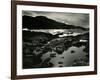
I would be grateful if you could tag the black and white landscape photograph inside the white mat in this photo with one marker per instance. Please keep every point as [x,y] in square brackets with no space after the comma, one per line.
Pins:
[54,39]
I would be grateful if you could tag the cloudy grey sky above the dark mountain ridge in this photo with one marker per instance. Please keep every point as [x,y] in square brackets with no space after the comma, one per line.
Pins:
[77,19]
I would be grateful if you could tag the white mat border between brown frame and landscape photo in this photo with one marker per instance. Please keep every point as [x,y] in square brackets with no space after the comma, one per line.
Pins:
[21,71]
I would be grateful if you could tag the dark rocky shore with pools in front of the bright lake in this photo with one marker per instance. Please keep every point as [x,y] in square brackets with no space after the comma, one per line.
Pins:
[42,50]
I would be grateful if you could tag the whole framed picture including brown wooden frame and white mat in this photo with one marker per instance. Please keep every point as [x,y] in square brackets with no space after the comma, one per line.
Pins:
[53,39]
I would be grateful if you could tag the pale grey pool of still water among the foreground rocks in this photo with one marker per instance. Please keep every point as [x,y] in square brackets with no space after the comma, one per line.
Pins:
[66,58]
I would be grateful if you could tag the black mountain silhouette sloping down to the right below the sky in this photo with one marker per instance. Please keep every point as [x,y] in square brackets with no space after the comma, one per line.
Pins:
[42,22]
